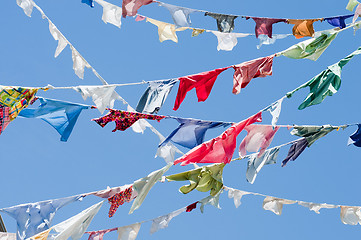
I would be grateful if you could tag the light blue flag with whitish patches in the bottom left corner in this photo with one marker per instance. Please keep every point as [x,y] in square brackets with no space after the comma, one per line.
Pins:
[33,218]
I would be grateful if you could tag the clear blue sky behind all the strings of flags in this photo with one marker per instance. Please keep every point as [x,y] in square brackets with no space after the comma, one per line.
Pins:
[36,166]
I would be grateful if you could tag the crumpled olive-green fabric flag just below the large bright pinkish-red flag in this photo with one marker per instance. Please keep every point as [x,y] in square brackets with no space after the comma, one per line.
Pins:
[203,179]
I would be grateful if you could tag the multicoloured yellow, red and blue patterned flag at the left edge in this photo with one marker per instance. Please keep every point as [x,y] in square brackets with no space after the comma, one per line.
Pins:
[16,98]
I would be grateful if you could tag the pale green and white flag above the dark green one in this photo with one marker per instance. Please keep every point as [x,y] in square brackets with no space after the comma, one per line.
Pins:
[311,48]
